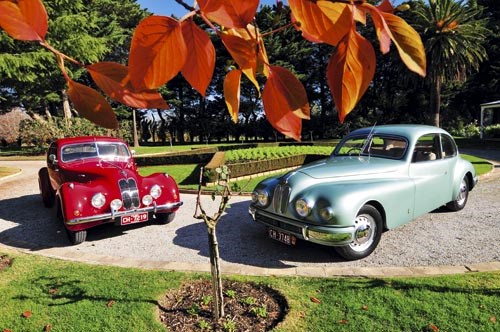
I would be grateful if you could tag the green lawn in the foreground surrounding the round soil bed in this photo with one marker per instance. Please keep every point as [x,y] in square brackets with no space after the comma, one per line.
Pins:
[43,294]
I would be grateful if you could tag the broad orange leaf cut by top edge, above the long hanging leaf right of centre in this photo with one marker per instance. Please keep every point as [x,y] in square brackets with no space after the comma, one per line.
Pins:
[318,26]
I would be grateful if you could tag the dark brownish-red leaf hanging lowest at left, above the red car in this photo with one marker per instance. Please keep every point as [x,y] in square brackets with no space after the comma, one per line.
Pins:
[92,105]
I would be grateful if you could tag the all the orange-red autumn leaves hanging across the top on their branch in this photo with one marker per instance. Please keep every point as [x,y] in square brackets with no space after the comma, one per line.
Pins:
[163,47]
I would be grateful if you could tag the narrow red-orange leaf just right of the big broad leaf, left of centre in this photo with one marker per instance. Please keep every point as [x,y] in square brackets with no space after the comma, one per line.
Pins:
[200,63]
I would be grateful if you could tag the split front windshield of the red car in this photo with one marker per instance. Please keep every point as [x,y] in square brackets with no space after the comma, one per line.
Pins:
[103,150]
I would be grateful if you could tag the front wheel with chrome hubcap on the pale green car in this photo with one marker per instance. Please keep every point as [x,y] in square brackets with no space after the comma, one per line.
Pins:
[368,230]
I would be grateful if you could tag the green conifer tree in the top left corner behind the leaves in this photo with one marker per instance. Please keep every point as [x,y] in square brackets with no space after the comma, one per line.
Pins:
[86,30]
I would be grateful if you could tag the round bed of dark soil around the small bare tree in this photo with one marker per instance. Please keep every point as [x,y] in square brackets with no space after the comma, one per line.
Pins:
[247,307]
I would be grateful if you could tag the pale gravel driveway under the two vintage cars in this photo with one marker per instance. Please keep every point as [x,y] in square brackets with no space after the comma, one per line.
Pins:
[438,238]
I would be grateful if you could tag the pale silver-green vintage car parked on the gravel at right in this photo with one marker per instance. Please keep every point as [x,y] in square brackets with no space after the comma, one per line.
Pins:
[376,179]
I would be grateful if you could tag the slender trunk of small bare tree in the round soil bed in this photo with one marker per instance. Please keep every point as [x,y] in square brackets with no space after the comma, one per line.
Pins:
[216,276]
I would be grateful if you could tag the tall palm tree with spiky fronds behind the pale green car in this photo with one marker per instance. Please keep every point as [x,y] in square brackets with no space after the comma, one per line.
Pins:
[454,35]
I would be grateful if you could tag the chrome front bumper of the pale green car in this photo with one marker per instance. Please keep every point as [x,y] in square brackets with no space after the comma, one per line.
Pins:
[330,236]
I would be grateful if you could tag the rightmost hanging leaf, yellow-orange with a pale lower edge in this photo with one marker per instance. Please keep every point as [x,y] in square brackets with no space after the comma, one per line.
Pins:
[408,42]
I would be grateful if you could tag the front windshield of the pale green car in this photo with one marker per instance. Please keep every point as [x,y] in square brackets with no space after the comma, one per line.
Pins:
[392,147]
